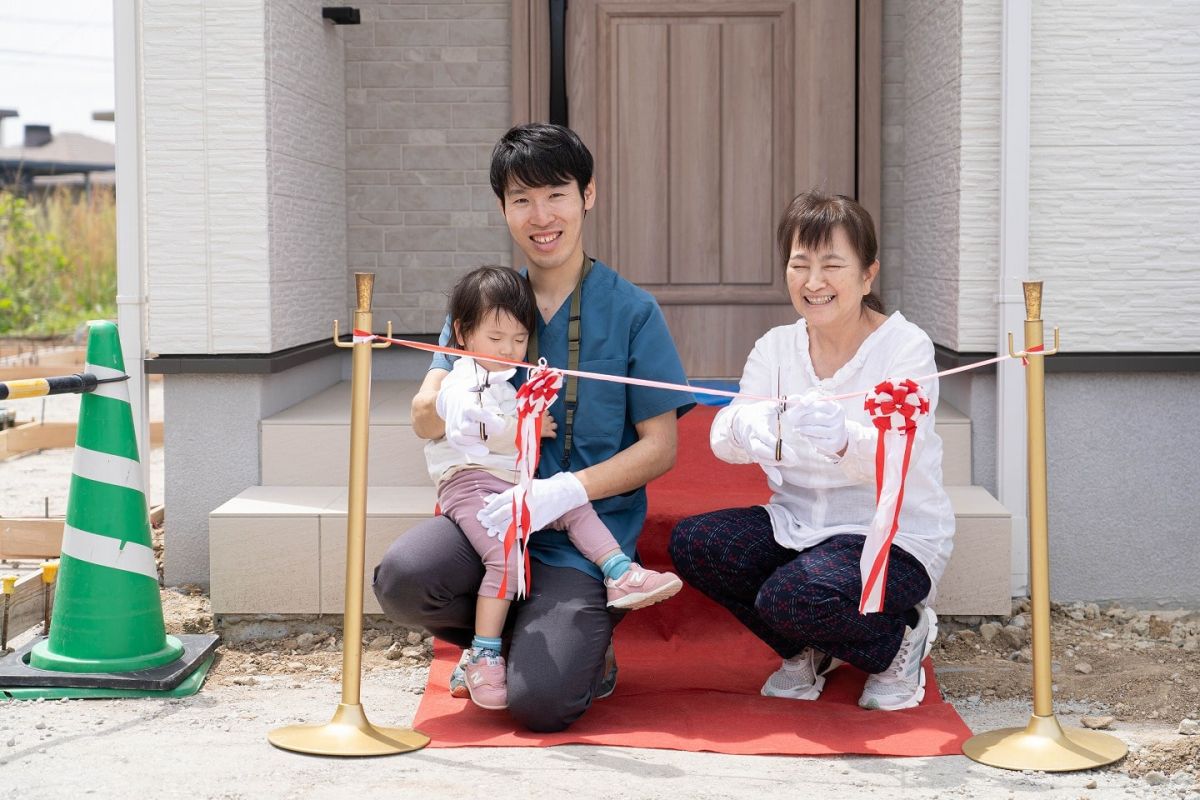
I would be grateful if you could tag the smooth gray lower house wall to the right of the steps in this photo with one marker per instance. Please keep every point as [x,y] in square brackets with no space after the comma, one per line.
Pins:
[1124,524]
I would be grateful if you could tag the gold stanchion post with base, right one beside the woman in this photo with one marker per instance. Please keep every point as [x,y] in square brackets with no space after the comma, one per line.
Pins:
[1043,744]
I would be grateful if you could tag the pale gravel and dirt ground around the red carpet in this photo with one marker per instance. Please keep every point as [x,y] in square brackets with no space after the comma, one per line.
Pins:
[1138,667]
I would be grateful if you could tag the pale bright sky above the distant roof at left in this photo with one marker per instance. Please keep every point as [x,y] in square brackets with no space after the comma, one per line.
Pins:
[57,67]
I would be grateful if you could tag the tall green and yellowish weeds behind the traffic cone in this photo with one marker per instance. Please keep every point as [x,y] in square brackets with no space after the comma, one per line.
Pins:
[58,262]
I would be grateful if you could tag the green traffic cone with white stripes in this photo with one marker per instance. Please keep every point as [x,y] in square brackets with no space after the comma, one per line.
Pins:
[107,615]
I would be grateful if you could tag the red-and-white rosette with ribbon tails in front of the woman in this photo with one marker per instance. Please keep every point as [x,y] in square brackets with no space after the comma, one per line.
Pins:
[896,410]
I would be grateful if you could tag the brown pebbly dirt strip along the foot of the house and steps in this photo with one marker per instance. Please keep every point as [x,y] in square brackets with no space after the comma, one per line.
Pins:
[1115,666]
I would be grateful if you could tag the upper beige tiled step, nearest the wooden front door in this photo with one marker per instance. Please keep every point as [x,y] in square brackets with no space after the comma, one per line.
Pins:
[309,444]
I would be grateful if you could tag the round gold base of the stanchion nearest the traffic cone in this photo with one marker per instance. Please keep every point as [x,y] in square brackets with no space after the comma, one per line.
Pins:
[350,733]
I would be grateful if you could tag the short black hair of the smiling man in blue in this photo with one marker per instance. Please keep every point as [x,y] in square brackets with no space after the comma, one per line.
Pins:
[541,154]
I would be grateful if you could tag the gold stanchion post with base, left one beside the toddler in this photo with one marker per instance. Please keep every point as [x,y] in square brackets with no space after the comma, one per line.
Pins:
[350,733]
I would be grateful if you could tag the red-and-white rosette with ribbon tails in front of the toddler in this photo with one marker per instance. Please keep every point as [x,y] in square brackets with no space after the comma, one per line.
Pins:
[533,399]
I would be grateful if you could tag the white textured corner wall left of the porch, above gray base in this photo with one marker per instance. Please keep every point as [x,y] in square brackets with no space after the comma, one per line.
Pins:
[244,196]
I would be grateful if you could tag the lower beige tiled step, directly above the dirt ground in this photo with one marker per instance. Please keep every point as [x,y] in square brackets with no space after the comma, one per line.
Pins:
[281,550]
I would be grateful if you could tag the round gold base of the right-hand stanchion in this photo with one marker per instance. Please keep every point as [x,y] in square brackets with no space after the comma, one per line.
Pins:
[1046,747]
